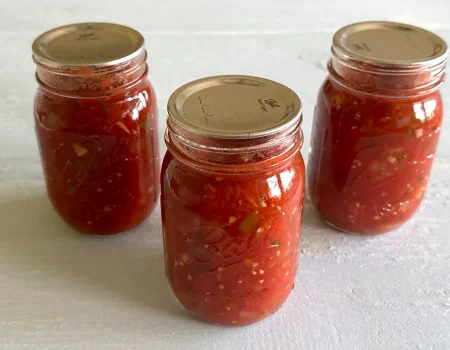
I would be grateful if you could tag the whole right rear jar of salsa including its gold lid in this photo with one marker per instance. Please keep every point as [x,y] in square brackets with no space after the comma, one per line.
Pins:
[376,126]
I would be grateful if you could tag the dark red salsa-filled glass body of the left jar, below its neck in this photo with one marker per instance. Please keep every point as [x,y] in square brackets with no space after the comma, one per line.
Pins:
[100,155]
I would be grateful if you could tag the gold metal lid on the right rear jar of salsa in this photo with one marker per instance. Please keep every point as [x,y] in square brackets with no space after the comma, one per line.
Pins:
[389,44]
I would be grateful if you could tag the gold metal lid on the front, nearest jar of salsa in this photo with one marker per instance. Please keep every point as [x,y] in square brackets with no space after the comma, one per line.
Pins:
[234,107]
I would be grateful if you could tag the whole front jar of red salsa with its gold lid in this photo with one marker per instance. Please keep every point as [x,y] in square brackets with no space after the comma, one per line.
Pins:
[232,197]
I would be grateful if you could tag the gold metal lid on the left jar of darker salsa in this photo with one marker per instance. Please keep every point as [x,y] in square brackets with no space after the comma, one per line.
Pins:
[87,45]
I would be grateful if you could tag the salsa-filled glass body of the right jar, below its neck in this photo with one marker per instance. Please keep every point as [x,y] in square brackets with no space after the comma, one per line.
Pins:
[371,154]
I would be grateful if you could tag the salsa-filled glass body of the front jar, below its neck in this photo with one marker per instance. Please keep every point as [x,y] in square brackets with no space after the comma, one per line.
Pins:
[231,239]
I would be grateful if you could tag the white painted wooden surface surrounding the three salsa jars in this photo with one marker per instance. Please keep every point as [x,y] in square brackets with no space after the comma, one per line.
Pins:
[62,290]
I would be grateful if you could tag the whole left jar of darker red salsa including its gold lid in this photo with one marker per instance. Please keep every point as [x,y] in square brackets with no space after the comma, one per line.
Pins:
[95,117]
